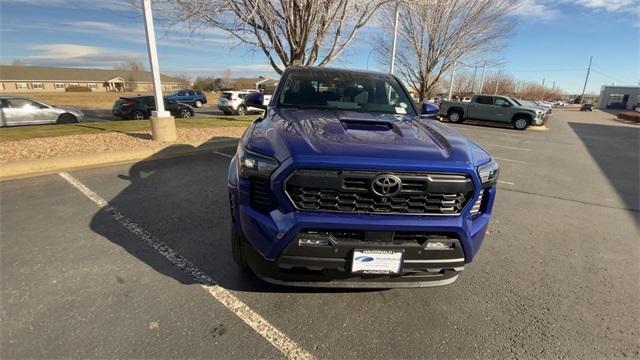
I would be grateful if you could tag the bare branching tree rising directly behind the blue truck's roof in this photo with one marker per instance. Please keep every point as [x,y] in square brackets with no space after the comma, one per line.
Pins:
[300,32]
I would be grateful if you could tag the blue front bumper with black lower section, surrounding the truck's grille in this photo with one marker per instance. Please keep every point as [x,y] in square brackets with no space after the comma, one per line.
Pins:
[274,255]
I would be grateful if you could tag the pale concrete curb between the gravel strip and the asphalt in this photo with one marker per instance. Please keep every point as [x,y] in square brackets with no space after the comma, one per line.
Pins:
[29,168]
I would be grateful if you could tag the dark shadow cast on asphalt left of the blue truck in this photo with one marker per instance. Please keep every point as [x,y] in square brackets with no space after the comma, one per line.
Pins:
[183,202]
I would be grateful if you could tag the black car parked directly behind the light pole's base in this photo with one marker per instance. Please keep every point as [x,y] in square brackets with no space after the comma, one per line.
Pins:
[140,107]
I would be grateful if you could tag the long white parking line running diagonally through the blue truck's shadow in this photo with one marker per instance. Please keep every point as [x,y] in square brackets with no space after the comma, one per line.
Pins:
[260,325]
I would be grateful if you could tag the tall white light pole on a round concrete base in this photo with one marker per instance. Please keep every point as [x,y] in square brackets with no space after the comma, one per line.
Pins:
[163,125]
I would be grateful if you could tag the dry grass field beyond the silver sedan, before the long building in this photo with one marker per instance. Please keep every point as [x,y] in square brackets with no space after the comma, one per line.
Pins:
[88,100]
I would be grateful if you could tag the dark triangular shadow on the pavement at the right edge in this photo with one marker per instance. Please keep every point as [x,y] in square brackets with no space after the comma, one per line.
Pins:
[615,149]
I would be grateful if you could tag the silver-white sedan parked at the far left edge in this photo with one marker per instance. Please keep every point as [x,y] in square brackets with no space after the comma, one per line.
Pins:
[15,110]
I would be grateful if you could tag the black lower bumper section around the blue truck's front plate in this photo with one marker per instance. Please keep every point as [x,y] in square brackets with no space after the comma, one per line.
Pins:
[329,265]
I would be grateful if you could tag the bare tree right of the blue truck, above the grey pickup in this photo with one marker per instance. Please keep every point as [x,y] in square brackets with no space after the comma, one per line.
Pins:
[432,34]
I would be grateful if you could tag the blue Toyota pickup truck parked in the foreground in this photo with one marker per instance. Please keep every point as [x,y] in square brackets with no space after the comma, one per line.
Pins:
[342,182]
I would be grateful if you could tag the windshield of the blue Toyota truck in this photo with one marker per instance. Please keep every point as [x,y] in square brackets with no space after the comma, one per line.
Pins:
[339,90]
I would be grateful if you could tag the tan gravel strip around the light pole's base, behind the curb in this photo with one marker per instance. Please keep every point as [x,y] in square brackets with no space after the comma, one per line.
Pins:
[69,145]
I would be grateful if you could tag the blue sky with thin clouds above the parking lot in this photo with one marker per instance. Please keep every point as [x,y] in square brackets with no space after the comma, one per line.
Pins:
[553,41]
